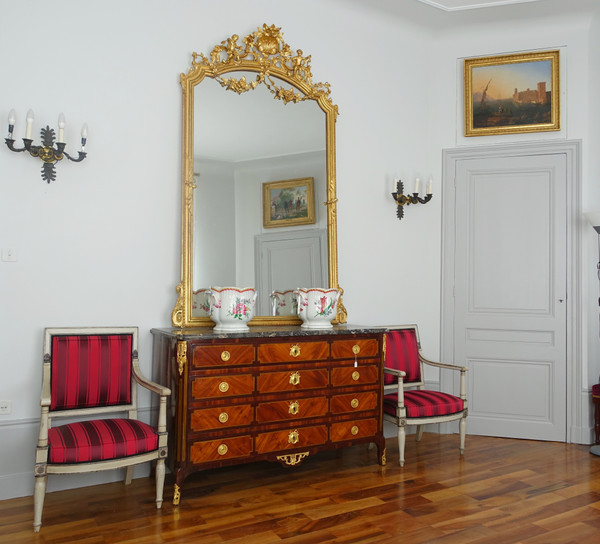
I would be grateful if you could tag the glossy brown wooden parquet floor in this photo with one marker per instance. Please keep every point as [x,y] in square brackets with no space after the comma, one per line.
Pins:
[501,491]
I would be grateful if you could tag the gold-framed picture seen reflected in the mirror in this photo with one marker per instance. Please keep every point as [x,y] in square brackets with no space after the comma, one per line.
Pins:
[288,202]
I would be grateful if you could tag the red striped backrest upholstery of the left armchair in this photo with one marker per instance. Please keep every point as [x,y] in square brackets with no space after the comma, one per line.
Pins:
[90,370]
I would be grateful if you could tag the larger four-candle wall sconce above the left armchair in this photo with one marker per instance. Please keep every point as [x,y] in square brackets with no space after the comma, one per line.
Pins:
[49,154]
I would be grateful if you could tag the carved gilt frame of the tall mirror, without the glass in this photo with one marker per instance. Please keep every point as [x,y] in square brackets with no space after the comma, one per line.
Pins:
[287,76]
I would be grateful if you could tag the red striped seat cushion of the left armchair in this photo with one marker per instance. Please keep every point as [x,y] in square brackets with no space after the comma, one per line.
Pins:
[100,439]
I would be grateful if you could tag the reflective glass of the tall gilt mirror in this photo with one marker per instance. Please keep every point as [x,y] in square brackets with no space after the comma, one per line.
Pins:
[240,143]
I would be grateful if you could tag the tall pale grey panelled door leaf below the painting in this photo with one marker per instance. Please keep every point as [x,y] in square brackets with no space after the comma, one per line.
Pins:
[510,293]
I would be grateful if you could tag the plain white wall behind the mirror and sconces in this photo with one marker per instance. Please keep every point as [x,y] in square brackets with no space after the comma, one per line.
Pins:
[100,245]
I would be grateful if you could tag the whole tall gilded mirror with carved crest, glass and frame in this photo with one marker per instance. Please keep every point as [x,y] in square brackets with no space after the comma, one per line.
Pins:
[254,120]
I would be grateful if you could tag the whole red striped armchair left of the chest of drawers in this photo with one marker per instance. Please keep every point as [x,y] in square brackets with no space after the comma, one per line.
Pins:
[89,373]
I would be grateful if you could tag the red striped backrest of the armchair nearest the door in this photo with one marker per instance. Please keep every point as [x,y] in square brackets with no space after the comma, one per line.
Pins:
[402,353]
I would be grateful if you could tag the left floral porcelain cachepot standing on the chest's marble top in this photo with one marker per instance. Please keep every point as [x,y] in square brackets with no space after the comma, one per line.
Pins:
[231,308]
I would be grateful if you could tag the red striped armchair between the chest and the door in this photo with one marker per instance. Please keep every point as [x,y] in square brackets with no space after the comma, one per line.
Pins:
[406,401]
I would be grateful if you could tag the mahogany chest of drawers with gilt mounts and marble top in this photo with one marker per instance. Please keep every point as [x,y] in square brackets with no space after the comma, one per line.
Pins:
[277,394]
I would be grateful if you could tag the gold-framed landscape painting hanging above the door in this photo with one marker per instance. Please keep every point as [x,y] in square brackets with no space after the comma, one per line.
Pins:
[510,94]
